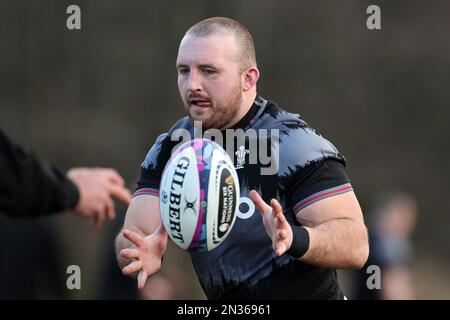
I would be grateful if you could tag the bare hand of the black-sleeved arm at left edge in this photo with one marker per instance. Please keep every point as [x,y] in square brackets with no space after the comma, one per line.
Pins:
[97,188]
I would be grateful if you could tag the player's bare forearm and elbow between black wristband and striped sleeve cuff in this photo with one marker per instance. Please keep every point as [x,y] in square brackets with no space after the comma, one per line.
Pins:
[338,236]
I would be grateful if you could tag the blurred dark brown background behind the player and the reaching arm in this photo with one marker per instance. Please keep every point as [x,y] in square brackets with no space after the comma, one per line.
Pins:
[99,96]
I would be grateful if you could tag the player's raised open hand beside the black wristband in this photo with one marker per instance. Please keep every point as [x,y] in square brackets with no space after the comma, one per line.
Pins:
[277,227]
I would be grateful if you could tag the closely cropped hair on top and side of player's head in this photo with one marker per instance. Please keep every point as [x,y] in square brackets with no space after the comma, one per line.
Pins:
[243,37]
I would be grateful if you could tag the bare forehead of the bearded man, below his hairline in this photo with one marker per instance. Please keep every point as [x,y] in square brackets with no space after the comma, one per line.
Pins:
[214,46]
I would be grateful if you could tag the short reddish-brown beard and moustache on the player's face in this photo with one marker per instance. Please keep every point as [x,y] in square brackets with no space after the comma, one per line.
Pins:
[217,115]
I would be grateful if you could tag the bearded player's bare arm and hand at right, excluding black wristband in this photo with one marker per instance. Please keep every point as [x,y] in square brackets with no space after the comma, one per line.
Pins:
[338,237]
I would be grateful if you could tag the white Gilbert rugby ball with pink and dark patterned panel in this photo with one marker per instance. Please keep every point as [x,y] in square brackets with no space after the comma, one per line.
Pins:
[199,195]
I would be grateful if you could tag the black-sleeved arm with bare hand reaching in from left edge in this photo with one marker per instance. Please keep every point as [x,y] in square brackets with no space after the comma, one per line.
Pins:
[30,187]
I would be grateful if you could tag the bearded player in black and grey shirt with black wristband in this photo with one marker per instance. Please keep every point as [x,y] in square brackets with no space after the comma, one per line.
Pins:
[309,220]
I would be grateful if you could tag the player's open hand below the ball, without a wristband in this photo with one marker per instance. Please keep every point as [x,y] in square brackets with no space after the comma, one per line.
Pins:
[147,255]
